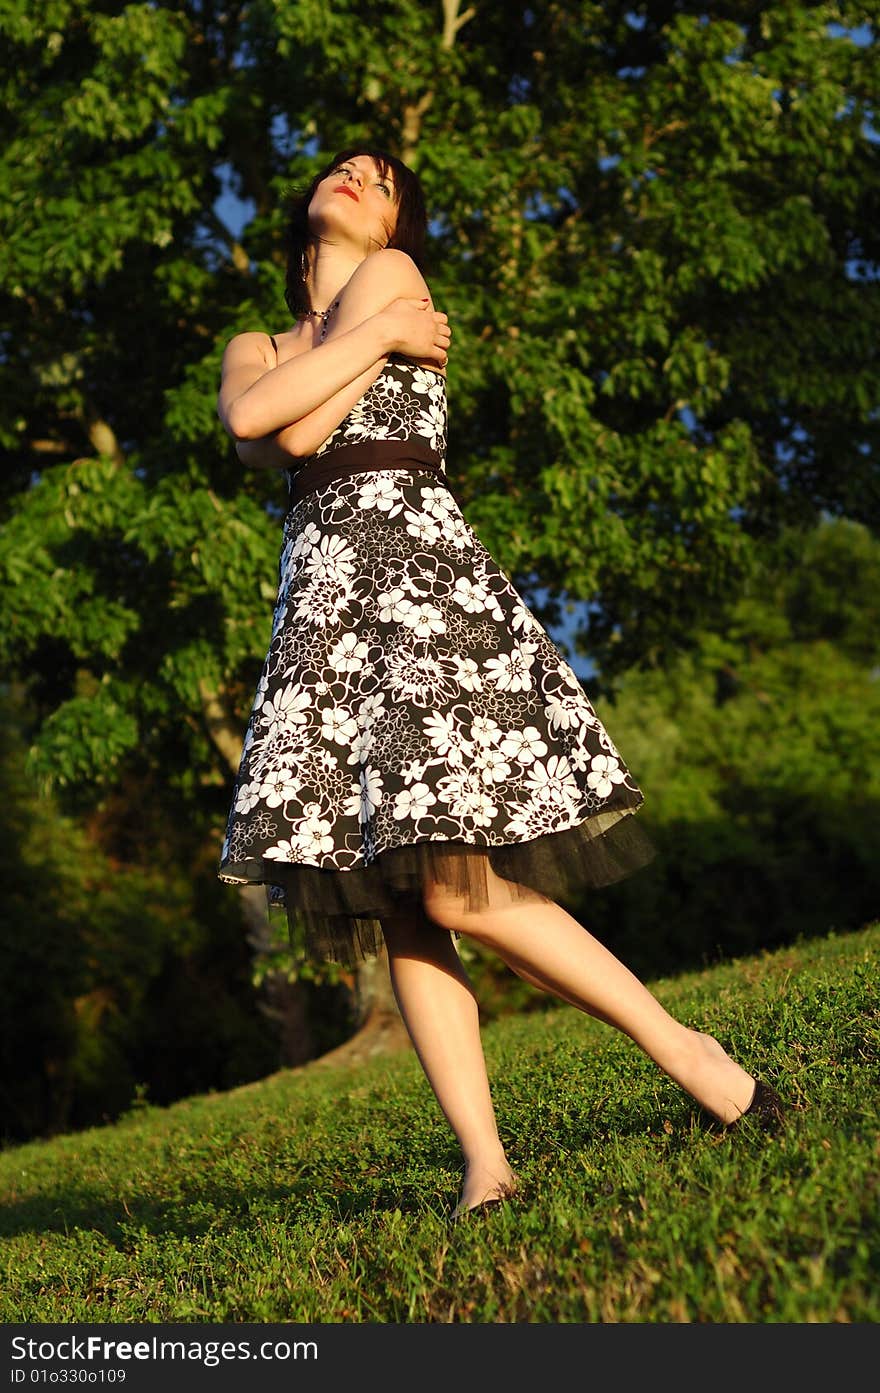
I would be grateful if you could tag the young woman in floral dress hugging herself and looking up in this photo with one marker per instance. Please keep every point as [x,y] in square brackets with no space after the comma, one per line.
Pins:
[420,763]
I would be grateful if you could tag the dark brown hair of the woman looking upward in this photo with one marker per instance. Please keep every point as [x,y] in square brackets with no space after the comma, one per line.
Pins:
[409,236]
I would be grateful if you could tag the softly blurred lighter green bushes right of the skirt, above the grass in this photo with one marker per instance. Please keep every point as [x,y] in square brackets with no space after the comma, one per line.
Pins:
[760,758]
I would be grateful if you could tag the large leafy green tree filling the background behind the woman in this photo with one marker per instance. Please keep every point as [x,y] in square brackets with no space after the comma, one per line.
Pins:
[655,233]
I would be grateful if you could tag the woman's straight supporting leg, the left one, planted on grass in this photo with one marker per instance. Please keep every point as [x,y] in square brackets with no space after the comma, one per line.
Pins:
[441,1013]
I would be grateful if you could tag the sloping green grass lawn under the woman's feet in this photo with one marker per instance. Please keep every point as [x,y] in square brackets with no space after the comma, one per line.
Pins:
[324,1196]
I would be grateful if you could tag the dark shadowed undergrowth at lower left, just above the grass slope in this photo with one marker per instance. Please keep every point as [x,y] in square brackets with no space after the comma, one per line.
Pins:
[118,972]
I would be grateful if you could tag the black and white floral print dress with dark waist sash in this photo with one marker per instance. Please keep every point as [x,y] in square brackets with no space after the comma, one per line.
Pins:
[413,718]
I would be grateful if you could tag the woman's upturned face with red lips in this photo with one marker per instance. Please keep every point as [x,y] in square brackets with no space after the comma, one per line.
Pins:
[356,204]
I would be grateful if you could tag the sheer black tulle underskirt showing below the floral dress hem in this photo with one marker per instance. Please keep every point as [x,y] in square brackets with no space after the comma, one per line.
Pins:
[340,912]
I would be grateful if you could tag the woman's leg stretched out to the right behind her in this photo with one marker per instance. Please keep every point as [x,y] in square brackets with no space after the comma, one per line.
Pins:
[542,942]
